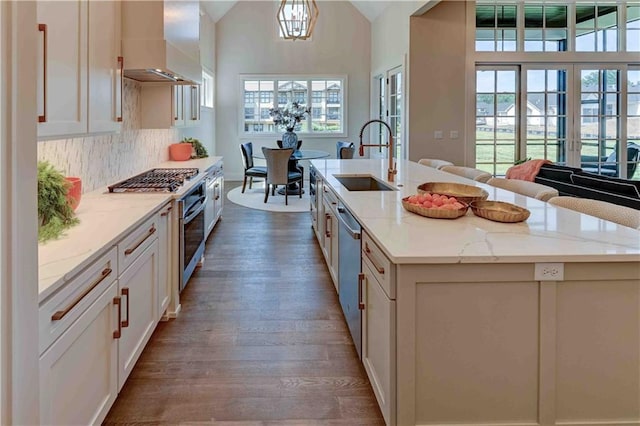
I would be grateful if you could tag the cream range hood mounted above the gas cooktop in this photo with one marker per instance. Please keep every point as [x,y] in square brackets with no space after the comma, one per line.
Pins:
[160,41]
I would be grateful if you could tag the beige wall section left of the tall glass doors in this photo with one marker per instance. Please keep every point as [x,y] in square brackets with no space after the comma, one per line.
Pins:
[437,80]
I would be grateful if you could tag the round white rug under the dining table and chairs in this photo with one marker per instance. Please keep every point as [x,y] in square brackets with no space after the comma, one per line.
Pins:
[254,199]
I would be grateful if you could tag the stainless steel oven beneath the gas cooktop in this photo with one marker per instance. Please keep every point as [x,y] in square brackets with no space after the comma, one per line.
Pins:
[192,230]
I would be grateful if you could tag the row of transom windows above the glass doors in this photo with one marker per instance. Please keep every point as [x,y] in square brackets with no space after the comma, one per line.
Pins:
[542,26]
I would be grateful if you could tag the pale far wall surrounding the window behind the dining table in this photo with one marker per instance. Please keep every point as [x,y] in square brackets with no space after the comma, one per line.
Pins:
[247,43]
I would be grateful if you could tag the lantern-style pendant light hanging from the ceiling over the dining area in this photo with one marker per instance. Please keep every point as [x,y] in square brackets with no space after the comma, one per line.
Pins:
[297,18]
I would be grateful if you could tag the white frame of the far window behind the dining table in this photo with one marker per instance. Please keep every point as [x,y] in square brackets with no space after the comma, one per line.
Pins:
[276,79]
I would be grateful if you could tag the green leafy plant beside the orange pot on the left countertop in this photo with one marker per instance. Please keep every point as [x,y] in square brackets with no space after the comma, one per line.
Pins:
[54,212]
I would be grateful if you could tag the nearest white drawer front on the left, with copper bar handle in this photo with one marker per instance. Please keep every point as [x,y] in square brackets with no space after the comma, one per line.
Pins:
[63,308]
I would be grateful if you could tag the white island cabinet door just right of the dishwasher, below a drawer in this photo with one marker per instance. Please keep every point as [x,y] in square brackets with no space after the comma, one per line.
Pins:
[378,339]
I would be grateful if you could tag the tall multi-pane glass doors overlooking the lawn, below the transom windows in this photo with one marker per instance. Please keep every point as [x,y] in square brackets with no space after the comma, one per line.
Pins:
[580,115]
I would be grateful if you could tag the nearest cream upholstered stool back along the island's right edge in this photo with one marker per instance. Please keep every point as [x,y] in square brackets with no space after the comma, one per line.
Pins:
[622,215]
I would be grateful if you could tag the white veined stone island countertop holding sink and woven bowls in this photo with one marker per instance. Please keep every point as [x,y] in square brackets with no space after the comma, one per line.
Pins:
[550,234]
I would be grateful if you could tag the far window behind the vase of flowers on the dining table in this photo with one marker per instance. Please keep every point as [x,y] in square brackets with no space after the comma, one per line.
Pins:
[325,96]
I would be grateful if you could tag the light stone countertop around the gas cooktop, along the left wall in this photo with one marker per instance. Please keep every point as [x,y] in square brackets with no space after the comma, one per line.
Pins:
[105,218]
